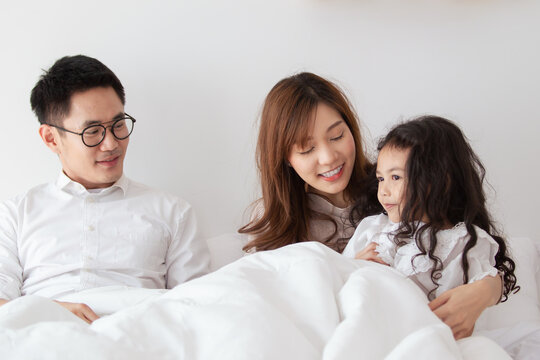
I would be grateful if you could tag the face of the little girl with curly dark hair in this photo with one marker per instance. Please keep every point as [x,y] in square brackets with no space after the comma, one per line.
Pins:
[391,167]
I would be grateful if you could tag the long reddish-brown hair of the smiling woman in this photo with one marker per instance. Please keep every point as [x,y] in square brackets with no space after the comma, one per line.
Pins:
[286,119]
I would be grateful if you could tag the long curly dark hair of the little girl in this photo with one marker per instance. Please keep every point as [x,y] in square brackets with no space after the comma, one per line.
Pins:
[444,184]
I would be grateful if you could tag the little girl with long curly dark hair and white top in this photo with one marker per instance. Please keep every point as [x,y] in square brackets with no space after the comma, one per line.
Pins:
[435,228]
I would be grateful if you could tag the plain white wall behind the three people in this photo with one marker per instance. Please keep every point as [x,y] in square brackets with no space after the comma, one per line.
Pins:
[196,74]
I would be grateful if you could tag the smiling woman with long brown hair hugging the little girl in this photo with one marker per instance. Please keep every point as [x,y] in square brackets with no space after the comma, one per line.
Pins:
[317,184]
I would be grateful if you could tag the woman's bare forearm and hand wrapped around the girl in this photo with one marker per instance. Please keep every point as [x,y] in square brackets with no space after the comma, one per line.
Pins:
[460,307]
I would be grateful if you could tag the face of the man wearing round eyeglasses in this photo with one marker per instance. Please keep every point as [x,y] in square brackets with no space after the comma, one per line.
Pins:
[99,166]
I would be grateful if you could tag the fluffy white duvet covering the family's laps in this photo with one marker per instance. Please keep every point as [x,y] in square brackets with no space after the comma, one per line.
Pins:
[303,301]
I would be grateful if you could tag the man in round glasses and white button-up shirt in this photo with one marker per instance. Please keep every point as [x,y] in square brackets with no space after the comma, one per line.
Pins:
[93,226]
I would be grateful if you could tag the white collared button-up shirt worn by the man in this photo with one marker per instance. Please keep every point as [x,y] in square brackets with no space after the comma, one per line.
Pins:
[60,238]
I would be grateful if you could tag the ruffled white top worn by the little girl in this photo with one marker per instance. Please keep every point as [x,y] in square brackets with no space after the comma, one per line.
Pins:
[450,245]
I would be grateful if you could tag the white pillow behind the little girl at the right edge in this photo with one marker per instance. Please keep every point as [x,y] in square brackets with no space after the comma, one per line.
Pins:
[523,306]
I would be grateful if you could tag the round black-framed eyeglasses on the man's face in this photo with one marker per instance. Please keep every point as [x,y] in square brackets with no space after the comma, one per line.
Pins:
[94,134]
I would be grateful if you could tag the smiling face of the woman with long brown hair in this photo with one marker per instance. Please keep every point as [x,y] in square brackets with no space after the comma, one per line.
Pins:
[326,162]
